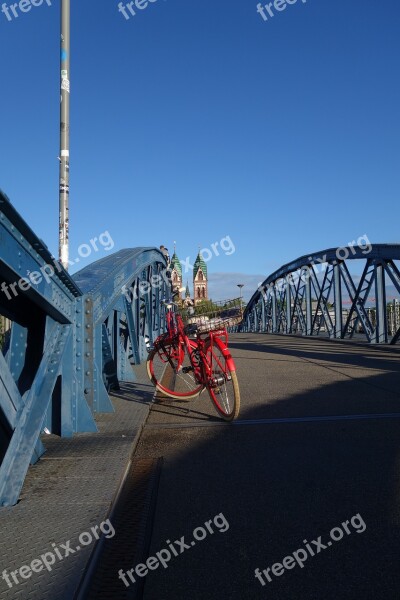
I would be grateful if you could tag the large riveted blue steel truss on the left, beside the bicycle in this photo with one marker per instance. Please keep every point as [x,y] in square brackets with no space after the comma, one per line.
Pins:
[72,340]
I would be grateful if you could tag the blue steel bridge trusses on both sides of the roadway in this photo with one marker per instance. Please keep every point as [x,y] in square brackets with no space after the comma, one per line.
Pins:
[76,338]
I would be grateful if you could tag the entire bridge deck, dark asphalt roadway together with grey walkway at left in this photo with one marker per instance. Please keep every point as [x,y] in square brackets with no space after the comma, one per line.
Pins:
[284,473]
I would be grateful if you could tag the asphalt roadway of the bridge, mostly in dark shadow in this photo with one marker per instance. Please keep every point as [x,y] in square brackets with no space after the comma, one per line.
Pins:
[279,483]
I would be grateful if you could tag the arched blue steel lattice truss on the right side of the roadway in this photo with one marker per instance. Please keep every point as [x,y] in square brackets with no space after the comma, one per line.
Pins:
[307,296]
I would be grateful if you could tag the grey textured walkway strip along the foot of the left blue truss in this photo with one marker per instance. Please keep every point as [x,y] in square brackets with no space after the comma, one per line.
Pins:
[69,491]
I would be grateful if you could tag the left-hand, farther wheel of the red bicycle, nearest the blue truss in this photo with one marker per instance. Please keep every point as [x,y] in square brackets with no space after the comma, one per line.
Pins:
[170,369]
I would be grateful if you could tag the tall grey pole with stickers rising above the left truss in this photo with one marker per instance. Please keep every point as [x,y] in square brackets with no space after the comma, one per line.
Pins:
[63,248]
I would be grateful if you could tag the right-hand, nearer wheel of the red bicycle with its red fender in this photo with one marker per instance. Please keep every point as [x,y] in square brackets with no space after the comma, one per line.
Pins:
[223,386]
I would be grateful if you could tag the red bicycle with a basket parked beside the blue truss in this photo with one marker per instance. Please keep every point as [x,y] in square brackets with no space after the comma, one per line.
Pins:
[188,359]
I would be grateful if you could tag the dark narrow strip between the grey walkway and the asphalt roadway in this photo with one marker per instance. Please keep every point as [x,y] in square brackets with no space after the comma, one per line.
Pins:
[132,519]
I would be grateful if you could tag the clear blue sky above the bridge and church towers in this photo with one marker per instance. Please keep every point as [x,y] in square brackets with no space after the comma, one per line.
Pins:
[192,121]
